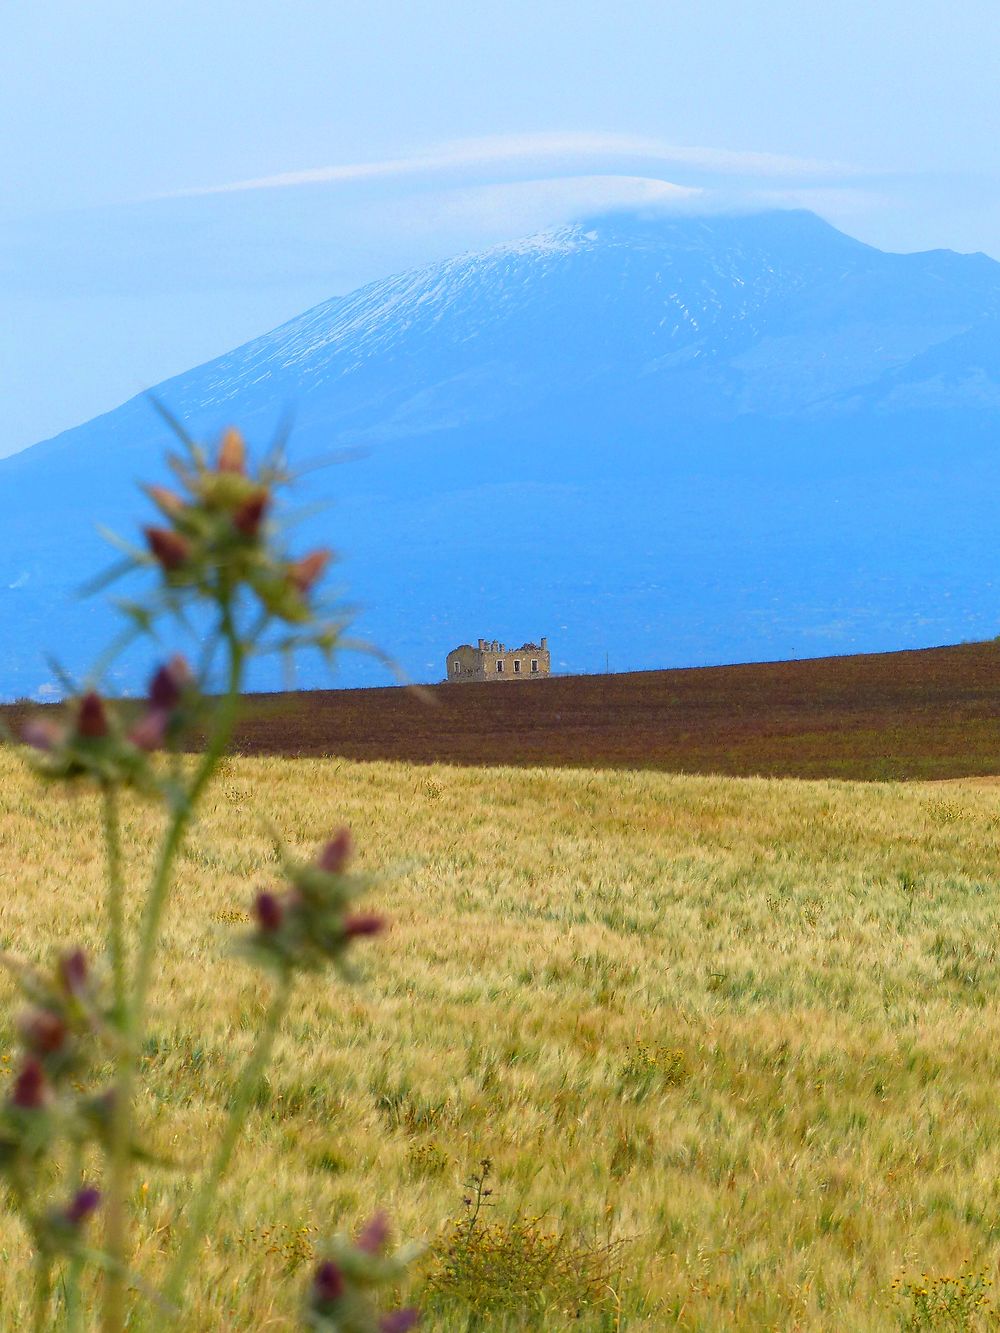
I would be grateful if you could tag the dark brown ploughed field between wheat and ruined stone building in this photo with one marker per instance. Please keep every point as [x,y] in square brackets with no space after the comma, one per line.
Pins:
[933,714]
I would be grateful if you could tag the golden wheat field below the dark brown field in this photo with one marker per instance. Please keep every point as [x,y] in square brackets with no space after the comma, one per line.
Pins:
[730,1046]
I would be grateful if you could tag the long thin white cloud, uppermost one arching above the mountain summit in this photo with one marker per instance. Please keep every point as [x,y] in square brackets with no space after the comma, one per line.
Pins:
[562,149]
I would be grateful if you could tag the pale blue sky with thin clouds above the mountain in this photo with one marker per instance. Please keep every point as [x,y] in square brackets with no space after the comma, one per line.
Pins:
[177,178]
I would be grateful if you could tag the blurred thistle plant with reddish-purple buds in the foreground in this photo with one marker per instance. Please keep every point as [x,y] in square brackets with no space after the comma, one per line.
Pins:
[70,1139]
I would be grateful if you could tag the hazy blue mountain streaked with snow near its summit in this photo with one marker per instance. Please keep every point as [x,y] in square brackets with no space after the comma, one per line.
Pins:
[658,441]
